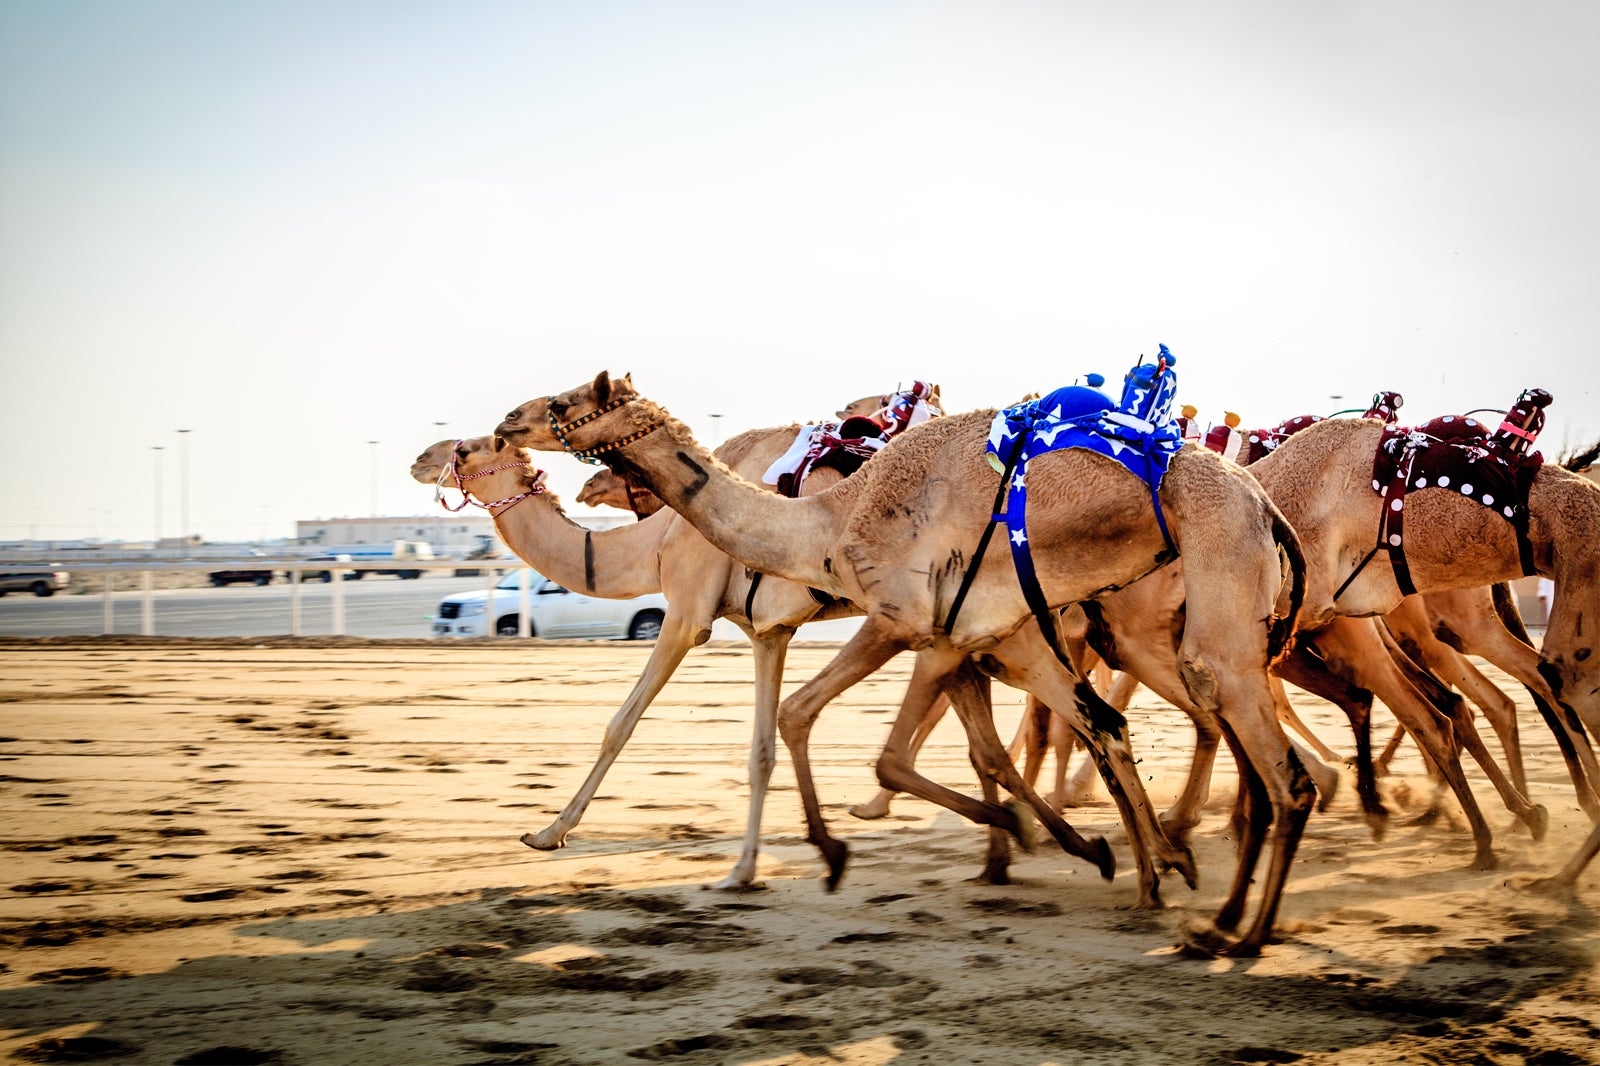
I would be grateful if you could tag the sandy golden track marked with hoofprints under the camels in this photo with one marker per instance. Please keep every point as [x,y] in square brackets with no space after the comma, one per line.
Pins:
[308,852]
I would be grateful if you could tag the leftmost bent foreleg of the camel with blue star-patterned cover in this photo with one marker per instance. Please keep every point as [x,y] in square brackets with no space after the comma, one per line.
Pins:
[862,655]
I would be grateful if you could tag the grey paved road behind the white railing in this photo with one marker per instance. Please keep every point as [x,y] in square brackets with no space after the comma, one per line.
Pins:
[374,607]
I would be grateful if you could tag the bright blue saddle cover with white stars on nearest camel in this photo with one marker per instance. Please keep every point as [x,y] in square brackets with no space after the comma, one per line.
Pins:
[1078,417]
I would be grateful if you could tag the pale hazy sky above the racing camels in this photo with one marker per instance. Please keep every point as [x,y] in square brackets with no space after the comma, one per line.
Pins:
[297,228]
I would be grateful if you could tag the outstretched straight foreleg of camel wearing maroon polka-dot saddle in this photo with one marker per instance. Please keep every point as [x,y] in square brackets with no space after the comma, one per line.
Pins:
[1358,646]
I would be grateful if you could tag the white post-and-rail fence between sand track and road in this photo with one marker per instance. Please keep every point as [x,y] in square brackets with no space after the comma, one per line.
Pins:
[150,569]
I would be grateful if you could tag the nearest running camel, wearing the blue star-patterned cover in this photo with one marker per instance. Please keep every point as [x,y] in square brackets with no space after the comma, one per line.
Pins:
[898,540]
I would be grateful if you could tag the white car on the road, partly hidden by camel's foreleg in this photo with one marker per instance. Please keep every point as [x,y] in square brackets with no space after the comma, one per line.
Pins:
[553,612]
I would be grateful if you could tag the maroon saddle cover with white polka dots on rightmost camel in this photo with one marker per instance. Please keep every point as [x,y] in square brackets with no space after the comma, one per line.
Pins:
[1463,455]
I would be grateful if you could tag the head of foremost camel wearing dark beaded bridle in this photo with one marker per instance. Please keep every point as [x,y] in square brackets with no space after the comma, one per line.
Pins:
[585,422]
